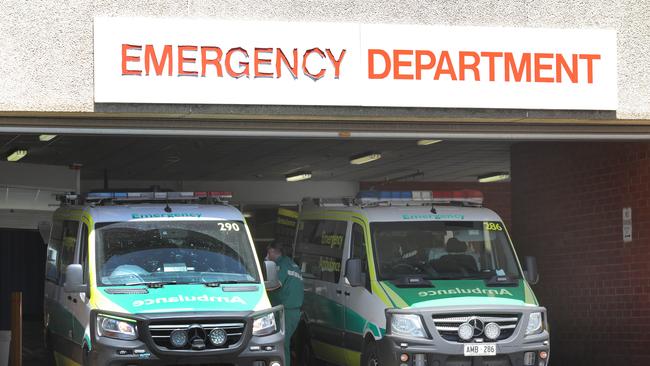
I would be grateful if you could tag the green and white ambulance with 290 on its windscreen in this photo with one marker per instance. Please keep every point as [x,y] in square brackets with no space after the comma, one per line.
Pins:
[163,278]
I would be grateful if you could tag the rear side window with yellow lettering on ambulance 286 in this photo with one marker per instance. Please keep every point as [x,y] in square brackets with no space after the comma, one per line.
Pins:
[319,249]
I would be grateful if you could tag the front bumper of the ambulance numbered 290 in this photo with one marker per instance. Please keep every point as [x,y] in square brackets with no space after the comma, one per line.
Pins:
[250,351]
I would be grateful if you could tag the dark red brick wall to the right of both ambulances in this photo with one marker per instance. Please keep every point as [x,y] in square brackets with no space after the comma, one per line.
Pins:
[567,210]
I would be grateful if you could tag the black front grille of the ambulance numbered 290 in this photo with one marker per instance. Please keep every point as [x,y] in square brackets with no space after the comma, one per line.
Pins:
[161,331]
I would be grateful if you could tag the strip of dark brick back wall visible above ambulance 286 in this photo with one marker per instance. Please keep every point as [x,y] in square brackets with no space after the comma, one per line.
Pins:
[496,195]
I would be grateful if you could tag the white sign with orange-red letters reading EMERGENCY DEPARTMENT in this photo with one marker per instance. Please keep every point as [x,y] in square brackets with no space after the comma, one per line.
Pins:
[199,61]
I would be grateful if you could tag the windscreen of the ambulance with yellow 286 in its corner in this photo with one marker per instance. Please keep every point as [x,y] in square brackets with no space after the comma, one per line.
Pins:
[440,250]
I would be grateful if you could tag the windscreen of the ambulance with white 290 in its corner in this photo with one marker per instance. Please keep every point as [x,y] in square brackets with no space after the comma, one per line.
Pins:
[174,252]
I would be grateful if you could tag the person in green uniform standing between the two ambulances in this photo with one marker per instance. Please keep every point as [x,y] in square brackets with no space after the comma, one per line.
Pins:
[290,293]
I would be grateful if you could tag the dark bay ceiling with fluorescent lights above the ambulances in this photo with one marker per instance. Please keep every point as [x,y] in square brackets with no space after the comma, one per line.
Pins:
[185,158]
